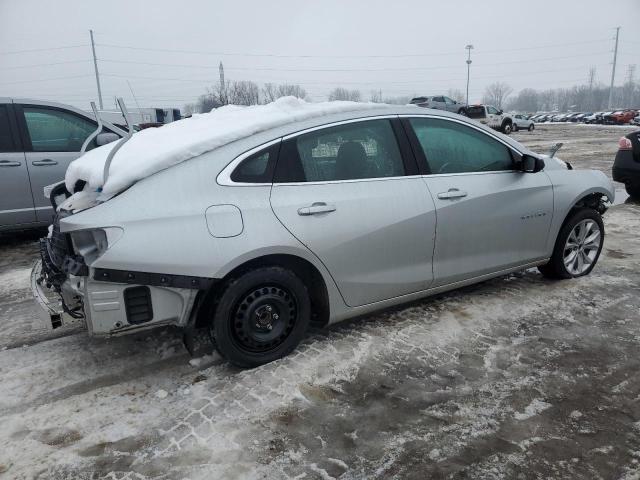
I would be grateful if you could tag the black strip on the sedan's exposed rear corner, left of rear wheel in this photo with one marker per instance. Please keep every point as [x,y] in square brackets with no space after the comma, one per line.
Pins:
[152,279]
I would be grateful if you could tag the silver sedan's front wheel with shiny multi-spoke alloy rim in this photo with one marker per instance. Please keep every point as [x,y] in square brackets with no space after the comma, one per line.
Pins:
[561,265]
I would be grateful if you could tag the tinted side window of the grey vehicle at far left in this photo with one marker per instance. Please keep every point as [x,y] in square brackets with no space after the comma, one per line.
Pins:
[53,130]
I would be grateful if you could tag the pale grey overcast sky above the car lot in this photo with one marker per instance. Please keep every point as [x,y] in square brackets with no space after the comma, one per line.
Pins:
[169,51]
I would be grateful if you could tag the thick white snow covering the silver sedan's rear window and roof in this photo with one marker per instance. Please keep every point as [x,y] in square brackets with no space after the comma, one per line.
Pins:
[155,149]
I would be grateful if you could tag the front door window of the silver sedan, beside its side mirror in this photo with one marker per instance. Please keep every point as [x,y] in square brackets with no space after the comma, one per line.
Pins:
[451,147]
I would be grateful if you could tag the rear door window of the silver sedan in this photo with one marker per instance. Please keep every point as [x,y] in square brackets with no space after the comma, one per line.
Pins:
[352,151]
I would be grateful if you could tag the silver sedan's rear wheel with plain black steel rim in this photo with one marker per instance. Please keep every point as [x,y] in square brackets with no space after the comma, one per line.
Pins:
[260,316]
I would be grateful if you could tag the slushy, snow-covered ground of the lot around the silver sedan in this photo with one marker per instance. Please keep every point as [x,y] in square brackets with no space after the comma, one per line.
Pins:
[517,377]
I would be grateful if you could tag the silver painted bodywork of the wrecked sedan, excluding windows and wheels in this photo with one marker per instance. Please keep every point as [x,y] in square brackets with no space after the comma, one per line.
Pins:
[388,241]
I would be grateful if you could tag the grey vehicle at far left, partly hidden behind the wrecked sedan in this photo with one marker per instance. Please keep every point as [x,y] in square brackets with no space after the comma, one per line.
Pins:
[38,140]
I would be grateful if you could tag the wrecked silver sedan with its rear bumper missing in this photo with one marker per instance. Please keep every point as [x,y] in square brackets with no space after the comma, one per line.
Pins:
[316,220]
